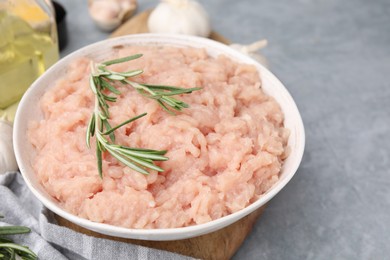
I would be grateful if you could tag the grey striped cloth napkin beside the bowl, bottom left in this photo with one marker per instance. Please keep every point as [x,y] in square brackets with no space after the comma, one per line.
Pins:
[50,241]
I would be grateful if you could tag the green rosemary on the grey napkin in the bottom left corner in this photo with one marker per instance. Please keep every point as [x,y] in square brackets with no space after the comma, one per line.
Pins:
[11,250]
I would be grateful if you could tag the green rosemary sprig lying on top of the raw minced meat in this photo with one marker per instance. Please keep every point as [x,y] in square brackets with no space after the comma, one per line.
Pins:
[102,82]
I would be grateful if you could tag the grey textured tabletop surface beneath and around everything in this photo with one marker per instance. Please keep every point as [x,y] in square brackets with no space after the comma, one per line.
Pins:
[334,57]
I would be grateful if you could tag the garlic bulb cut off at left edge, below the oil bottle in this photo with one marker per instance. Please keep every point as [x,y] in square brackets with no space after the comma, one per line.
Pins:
[7,155]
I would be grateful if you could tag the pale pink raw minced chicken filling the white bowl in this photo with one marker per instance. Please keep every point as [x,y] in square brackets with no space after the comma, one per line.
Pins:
[225,150]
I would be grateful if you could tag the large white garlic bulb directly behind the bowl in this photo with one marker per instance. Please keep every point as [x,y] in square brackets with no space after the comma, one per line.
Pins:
[179,17]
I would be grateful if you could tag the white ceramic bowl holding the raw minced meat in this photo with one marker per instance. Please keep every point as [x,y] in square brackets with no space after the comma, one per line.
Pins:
[29,110]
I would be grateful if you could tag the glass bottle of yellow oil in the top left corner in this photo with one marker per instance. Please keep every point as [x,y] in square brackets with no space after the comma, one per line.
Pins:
[28,46]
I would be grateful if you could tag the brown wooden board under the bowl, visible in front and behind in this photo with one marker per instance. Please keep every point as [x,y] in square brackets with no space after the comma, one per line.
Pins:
[219,245]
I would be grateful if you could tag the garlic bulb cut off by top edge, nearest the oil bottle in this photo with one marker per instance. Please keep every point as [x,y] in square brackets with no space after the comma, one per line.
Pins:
[109,14]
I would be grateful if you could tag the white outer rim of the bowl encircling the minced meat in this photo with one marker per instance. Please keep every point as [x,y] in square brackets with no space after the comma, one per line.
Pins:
[163,233]
